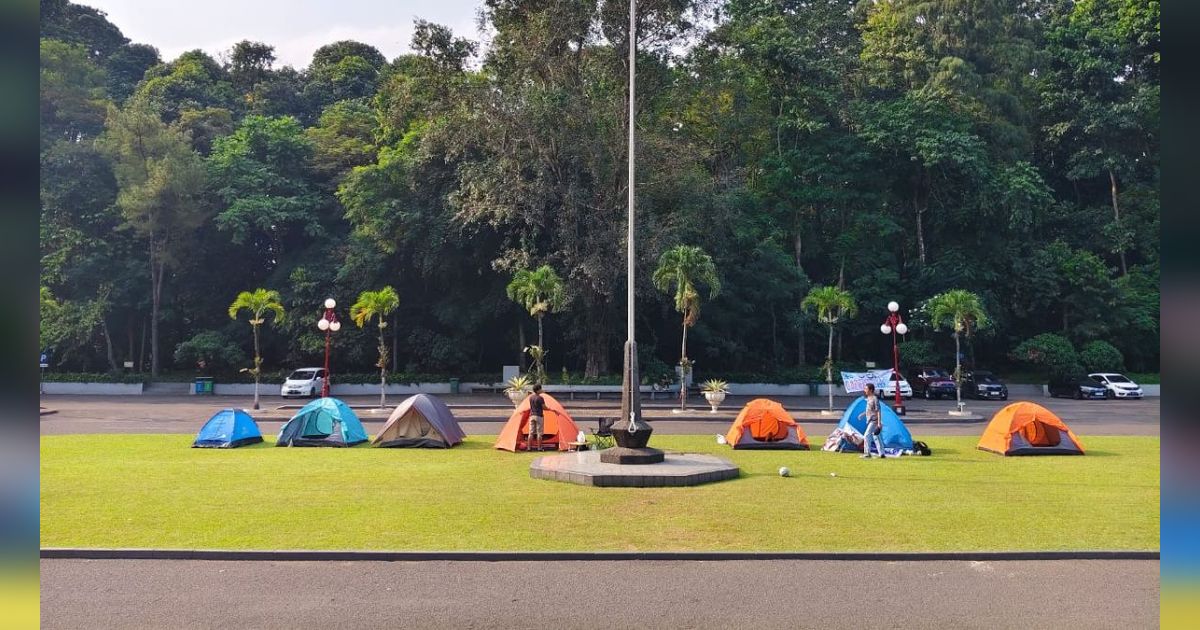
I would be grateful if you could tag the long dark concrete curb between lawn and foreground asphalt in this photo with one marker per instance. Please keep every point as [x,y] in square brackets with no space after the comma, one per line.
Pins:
[100,554]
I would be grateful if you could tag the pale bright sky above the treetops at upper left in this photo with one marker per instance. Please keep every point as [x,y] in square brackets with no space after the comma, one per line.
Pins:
[295,28]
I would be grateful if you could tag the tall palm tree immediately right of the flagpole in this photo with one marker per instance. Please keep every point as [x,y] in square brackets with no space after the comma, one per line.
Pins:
[681,269]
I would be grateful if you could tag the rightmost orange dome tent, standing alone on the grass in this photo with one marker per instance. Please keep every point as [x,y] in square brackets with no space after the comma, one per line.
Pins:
[1029,429]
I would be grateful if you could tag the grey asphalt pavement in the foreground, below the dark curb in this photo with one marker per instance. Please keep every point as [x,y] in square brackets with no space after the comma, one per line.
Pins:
[129,595]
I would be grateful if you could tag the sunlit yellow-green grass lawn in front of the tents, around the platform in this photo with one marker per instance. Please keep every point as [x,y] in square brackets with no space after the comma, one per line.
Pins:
[154,491]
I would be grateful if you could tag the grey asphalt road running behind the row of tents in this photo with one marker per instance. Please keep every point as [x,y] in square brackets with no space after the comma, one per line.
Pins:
[483,415]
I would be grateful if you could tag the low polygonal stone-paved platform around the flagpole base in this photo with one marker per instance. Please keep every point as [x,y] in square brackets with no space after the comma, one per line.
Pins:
[677,470]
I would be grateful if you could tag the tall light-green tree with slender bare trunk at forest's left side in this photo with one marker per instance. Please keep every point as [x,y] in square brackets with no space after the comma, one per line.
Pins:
[160,182]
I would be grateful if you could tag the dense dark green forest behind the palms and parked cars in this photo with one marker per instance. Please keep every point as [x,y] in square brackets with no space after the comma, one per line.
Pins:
[891,151]
